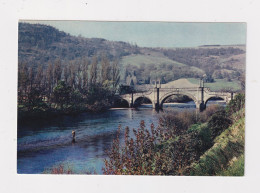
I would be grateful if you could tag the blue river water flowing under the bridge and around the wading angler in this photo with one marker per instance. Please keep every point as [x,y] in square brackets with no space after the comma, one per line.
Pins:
[44,144]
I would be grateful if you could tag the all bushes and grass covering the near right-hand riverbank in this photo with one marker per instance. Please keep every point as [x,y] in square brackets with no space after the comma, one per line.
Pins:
[184,143]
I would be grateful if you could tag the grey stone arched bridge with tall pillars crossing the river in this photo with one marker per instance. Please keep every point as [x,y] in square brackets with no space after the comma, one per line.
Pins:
[200,95]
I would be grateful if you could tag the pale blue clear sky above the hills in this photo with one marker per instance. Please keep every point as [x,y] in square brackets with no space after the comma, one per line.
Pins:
[156,34]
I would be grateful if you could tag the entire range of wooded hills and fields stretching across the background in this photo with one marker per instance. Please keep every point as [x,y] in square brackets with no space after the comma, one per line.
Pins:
[42,44]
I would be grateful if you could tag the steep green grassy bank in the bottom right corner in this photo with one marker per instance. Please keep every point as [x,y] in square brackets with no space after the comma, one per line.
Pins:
[226,155]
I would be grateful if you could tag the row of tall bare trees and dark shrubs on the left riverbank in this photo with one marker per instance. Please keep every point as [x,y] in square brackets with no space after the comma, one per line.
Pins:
[90,85]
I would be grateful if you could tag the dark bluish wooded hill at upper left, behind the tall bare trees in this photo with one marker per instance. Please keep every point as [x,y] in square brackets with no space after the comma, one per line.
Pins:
[40,44]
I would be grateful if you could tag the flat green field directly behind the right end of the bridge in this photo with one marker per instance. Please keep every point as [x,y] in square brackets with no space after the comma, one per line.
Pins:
[219,84]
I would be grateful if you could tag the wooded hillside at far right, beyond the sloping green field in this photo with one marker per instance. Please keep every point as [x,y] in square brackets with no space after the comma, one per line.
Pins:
[210,60]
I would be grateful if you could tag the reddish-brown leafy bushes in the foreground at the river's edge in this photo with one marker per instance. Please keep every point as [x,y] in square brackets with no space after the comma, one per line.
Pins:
[165,150]
